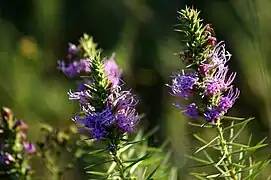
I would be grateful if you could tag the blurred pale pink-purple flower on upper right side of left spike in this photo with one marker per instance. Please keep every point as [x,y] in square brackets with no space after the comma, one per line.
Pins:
[112,70]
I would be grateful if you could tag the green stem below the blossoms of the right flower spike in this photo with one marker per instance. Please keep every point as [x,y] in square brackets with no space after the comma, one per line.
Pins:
[225,151]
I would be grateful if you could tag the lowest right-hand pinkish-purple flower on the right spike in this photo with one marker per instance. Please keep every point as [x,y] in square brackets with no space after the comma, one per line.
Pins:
[226,102]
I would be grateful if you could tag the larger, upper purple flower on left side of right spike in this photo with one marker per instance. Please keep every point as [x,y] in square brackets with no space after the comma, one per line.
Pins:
[182,85]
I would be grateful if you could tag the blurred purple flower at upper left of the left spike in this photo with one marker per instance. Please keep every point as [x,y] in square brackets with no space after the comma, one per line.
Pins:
[74,68]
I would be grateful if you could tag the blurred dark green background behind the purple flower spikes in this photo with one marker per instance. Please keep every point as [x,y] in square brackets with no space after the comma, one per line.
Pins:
[34,34]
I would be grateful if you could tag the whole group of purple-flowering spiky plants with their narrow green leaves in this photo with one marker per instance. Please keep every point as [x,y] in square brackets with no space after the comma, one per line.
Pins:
[105,133]
